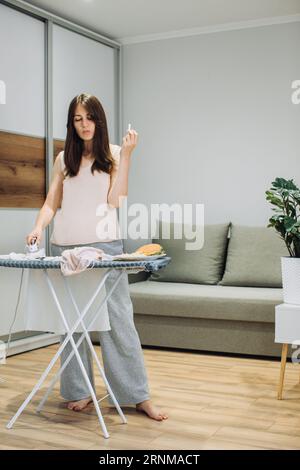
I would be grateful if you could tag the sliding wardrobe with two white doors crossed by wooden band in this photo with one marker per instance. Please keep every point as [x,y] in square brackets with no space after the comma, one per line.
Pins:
[77,64]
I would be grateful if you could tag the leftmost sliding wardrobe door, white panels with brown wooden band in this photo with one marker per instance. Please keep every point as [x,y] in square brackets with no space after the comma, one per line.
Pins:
[22,146]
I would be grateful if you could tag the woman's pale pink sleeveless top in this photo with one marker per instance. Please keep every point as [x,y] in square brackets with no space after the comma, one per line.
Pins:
[85,216]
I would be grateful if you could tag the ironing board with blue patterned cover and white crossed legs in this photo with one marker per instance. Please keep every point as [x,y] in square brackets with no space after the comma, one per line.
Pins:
[45,265]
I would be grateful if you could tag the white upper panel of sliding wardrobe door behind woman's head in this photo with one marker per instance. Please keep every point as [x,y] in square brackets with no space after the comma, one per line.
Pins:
[82,65]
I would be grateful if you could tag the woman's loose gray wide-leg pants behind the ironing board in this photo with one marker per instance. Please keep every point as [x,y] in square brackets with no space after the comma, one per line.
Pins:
[120,347]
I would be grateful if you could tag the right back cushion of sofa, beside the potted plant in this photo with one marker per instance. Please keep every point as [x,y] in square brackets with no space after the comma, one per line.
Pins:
[253,257]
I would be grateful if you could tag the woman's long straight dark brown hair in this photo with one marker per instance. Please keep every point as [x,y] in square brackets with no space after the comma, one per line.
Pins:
[74,144]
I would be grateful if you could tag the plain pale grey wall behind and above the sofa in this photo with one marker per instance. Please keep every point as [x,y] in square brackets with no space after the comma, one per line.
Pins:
[215,119]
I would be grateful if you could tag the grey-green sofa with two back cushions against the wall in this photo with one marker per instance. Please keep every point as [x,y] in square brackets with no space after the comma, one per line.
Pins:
[221,298]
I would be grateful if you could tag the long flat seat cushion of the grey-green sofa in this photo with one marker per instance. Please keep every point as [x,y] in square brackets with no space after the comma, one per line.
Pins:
[251,304]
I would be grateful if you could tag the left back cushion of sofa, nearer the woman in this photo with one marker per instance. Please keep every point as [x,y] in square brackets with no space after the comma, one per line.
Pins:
[204,266]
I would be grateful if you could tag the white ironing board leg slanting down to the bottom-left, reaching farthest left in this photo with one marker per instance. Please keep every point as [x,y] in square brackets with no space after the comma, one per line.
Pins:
[56,356]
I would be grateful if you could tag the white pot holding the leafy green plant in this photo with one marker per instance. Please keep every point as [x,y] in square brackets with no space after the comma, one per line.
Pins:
[290,269]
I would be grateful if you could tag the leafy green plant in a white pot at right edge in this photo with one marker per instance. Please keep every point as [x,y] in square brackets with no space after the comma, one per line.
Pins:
[285,196]
